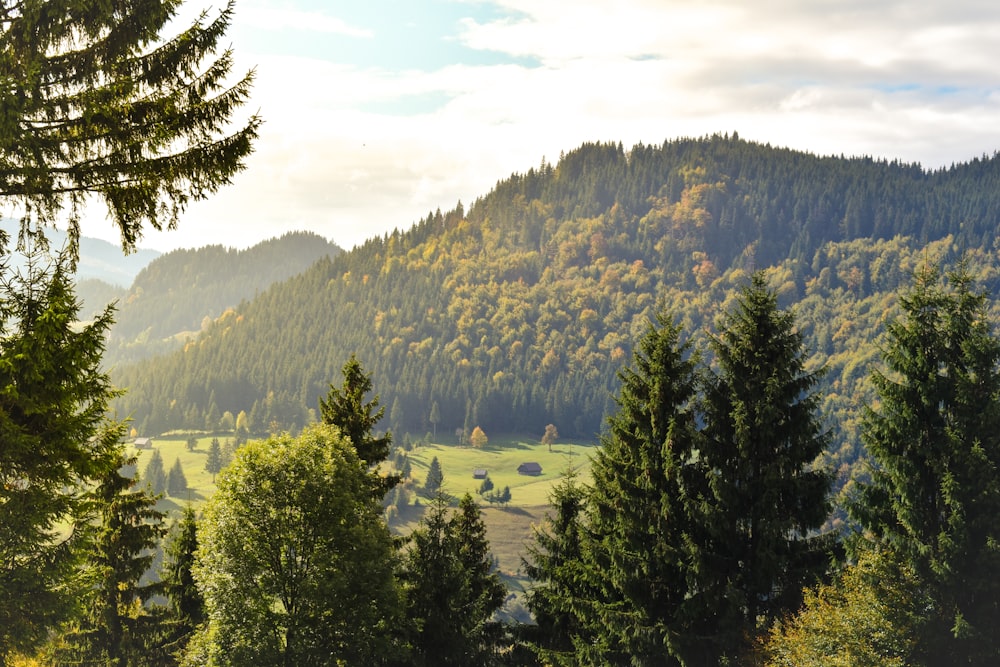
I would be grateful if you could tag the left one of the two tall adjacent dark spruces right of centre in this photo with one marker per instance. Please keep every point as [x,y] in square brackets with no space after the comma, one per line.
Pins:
[637,565]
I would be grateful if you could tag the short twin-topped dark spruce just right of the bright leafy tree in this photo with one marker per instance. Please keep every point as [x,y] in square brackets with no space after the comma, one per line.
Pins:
[450,591]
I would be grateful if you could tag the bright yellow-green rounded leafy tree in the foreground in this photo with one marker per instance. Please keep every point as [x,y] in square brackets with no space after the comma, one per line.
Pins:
[294,562]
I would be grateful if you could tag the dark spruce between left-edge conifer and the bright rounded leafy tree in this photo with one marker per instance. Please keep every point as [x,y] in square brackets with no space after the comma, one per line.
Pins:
[117,629]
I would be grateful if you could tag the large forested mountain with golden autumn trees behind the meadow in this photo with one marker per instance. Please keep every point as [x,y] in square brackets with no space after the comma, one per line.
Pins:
[519,311]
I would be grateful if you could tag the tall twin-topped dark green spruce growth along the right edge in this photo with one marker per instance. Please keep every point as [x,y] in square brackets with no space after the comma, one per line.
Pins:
[934,437]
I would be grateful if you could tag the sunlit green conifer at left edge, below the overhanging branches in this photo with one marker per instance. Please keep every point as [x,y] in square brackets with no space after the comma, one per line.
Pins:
[53,401]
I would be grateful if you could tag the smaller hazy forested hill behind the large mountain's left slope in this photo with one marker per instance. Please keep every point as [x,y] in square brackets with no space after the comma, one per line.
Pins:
[183,290]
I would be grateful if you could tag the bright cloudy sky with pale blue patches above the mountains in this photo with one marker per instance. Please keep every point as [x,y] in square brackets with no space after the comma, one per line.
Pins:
[379,112]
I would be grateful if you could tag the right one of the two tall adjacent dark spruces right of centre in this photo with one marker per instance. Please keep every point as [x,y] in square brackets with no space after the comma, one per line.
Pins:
[766,498]
